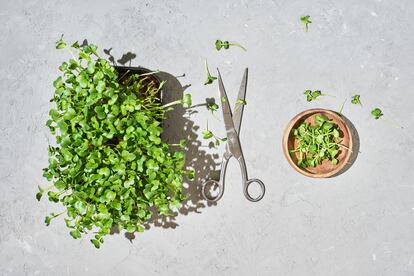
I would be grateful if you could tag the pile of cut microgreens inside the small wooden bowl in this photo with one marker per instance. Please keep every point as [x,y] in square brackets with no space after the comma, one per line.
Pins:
[317,142]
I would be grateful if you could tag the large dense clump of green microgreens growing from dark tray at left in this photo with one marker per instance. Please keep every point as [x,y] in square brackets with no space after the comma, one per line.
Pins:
[110,166]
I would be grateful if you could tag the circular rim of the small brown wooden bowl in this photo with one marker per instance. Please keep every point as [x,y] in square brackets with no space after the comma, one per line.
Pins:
[286,135]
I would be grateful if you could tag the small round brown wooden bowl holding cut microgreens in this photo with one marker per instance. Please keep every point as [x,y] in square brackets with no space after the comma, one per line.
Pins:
[325,169]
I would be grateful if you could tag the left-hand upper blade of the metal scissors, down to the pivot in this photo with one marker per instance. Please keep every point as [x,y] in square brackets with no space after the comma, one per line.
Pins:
[233,143]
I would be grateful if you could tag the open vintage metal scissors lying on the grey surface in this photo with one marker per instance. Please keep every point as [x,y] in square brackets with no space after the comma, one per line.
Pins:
[232,124]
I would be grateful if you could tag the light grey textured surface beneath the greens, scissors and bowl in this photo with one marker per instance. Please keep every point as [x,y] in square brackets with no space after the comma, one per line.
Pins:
[359,223]
